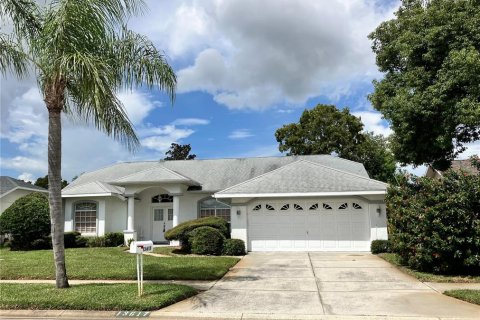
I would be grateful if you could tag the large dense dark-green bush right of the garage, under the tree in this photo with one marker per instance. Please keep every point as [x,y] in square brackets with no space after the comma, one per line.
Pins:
[434,225]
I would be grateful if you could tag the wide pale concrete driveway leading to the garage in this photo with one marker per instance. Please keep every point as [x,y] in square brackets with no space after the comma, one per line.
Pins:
[320,284]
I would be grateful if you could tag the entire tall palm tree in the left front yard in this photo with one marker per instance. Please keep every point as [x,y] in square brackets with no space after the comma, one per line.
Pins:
[82,54]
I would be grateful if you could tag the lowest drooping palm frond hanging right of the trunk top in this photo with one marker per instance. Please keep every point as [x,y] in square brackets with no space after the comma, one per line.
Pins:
[92,97]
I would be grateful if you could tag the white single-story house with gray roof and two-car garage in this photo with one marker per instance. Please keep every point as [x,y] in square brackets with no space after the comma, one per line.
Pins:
[295,203]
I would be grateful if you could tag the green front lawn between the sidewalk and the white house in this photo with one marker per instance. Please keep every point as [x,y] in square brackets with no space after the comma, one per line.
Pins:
[111,263]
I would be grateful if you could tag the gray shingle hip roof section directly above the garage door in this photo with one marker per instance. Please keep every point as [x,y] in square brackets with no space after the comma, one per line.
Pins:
[305,177]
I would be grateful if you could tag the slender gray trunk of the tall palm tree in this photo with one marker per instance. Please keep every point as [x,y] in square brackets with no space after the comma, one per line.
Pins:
[55,191]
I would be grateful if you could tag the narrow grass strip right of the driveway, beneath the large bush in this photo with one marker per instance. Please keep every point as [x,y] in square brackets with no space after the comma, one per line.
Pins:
[425,276]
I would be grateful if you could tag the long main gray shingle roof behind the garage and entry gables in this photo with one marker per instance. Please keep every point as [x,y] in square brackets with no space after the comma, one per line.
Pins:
[215,174]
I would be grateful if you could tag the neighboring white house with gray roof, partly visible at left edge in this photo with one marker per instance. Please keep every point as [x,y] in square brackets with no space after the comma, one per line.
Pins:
[11,189]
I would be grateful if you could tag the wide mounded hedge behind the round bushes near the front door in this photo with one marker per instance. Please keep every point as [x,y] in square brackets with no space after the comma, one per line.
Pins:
[181,231]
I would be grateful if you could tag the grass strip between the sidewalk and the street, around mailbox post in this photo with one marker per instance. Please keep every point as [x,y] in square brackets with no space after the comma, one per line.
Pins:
[92,296]
